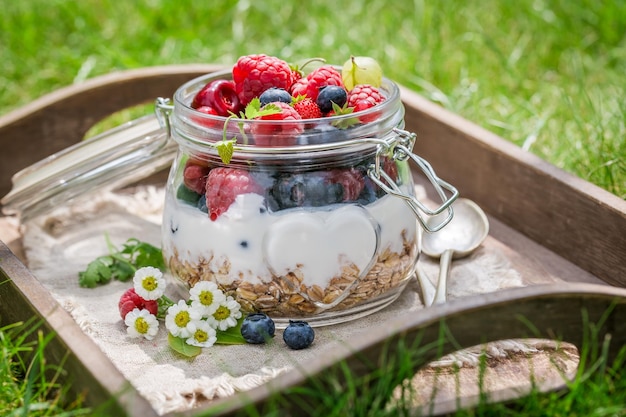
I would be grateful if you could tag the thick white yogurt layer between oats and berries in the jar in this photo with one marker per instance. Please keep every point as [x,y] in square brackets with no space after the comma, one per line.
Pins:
[259,244]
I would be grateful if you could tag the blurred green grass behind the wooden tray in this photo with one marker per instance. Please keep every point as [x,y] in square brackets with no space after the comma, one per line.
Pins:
[547,75]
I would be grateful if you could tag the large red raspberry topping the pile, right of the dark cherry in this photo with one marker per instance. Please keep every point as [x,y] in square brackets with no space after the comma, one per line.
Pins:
[253,74]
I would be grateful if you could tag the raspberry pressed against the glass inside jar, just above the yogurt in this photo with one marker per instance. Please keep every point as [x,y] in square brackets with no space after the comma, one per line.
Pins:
[224,185]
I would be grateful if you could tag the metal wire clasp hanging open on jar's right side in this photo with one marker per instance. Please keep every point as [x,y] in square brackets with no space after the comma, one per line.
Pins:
[400,146]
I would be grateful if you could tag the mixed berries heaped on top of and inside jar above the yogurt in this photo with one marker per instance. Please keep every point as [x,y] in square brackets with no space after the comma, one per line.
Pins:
[274,91]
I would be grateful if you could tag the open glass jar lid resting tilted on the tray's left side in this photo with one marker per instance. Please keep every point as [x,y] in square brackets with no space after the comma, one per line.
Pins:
[113,159]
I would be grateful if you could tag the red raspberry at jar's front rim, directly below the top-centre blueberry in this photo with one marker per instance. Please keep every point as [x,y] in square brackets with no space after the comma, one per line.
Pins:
[278,134]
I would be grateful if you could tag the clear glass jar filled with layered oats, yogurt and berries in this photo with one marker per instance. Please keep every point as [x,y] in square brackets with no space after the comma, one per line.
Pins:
[311,219]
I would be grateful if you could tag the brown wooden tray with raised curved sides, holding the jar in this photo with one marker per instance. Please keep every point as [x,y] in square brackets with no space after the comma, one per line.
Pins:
[550,223]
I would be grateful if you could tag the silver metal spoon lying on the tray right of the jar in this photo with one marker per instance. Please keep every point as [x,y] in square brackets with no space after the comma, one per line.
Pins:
[464,234]
